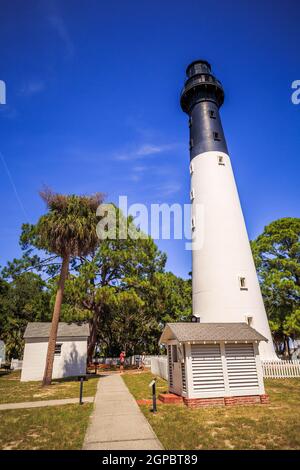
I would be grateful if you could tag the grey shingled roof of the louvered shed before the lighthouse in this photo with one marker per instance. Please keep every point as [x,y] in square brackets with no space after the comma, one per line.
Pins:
[184,332]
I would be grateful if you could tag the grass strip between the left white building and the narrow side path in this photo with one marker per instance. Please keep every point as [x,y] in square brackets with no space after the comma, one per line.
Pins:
[13,391]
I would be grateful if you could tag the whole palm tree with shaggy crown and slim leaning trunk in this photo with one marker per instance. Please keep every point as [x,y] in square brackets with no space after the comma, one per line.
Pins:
[67,230]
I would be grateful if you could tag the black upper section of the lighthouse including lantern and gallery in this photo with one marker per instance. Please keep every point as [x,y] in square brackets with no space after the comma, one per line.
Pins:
[201,98]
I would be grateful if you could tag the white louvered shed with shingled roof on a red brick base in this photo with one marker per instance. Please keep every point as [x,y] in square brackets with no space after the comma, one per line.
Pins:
[214,363]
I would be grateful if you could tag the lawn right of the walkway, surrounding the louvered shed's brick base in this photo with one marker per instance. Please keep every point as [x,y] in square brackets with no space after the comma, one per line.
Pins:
[273,426]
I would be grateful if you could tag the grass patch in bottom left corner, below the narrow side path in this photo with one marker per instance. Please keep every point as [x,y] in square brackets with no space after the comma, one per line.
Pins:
[53,427]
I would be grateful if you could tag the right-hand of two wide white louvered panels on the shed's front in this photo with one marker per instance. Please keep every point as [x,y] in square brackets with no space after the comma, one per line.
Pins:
[241,366]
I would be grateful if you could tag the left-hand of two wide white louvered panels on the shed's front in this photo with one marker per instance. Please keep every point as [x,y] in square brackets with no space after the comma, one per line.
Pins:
[207,369]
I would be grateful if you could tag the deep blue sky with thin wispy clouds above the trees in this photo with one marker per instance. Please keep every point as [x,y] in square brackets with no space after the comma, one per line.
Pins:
[93,104]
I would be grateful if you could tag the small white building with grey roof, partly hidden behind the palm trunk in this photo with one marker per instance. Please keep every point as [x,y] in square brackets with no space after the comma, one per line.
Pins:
[70,351]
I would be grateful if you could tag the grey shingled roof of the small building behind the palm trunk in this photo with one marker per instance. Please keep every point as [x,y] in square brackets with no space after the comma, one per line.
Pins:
[42,330]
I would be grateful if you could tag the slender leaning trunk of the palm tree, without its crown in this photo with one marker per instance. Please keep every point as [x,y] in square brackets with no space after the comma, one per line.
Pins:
[55,320]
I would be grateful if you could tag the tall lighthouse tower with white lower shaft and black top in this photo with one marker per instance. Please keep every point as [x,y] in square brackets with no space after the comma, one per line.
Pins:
[225,284]
